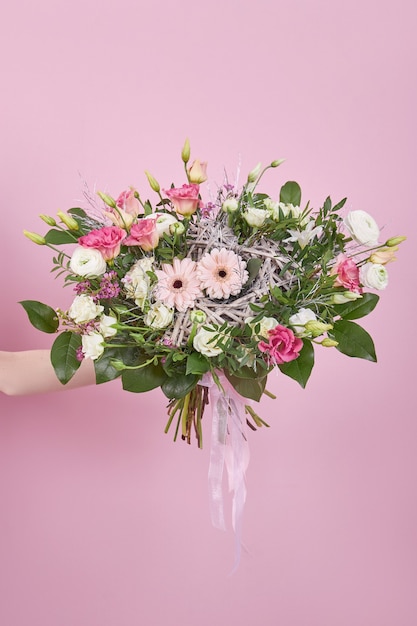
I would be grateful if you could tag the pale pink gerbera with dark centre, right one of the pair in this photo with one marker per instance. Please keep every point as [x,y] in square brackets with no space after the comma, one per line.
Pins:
[222,273]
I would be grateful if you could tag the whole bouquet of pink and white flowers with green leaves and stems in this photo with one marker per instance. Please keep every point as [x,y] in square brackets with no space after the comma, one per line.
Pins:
[171,290]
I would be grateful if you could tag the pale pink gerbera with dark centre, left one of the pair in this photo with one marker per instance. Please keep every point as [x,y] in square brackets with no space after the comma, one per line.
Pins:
[178,284]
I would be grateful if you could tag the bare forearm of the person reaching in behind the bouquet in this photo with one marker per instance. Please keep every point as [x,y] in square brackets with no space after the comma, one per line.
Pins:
[31,371]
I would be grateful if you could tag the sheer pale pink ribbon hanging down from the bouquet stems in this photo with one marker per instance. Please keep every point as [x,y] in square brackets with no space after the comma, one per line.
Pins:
[230,448]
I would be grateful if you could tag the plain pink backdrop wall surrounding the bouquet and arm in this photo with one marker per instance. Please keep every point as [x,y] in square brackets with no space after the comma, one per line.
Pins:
[104,520]
